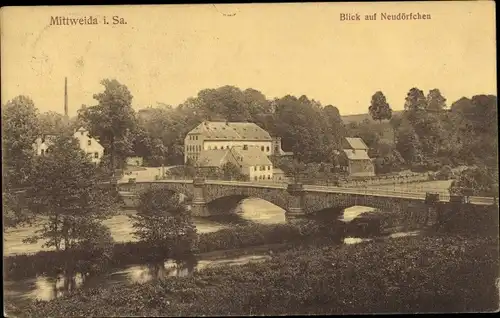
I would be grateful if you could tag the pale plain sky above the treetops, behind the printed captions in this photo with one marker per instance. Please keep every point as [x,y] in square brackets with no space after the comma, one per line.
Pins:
[166,54]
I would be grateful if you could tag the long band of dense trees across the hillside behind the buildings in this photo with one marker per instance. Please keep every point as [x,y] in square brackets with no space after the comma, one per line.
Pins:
[426,135]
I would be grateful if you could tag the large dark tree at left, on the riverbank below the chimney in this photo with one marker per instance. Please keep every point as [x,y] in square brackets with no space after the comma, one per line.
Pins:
[65,191]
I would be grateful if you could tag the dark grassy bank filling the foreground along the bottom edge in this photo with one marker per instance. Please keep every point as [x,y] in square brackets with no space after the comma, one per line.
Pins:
[421,274]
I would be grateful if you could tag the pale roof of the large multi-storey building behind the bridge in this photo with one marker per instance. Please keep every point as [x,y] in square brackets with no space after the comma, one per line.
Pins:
[213,130]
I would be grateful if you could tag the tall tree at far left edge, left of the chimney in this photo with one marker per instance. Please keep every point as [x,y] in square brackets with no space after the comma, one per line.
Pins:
[20,128]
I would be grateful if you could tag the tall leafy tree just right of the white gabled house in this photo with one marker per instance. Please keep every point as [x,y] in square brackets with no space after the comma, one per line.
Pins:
[112,120]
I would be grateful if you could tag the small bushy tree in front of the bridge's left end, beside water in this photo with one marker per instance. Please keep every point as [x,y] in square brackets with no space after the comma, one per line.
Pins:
[164,223]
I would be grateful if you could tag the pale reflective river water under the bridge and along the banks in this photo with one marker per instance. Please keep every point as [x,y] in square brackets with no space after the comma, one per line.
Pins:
[47,288]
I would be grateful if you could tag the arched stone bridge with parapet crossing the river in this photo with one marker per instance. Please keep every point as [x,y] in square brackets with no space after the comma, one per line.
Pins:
[209,197]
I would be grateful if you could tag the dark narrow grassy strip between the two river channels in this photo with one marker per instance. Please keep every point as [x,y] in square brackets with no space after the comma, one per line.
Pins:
[239,236]
